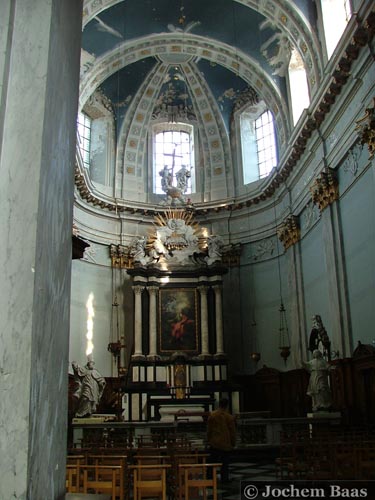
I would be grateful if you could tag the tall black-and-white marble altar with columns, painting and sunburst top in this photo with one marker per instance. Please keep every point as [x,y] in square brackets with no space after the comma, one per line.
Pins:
[178,359]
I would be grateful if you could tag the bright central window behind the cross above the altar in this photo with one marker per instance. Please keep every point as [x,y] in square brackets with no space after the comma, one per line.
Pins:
[173,149]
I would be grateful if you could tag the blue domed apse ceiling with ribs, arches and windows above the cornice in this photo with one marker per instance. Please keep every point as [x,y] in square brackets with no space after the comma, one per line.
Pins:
[198,70]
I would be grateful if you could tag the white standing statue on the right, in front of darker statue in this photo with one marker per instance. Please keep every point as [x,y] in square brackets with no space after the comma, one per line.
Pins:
[318,388]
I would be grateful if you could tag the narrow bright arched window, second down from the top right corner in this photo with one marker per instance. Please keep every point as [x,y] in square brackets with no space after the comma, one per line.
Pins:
[299,90]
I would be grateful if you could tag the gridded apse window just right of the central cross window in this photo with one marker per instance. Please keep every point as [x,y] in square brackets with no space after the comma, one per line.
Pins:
[258,143]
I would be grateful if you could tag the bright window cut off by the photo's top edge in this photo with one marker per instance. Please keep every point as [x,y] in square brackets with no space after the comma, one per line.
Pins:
[336,15]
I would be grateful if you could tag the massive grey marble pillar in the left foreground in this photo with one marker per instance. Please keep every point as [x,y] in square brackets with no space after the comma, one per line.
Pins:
[39,77]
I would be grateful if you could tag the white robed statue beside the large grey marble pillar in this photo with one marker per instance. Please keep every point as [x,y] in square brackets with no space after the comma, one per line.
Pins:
[90,388]
